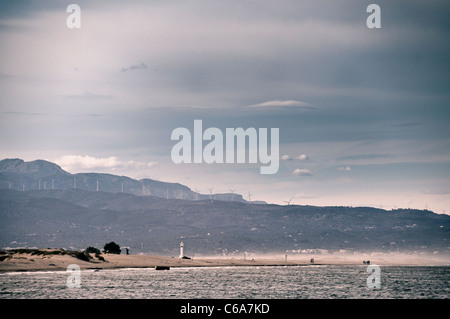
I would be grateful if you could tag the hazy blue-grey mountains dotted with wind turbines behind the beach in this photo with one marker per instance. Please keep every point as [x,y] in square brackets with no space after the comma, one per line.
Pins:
[142,217]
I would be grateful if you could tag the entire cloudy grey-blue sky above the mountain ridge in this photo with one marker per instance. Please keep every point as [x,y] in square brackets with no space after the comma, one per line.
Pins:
[363,114]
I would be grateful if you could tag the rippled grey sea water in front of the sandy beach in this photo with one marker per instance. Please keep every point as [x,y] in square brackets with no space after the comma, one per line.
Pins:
[232,282]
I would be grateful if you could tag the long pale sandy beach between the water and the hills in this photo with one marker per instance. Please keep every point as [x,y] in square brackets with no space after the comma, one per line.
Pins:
[59,259]
